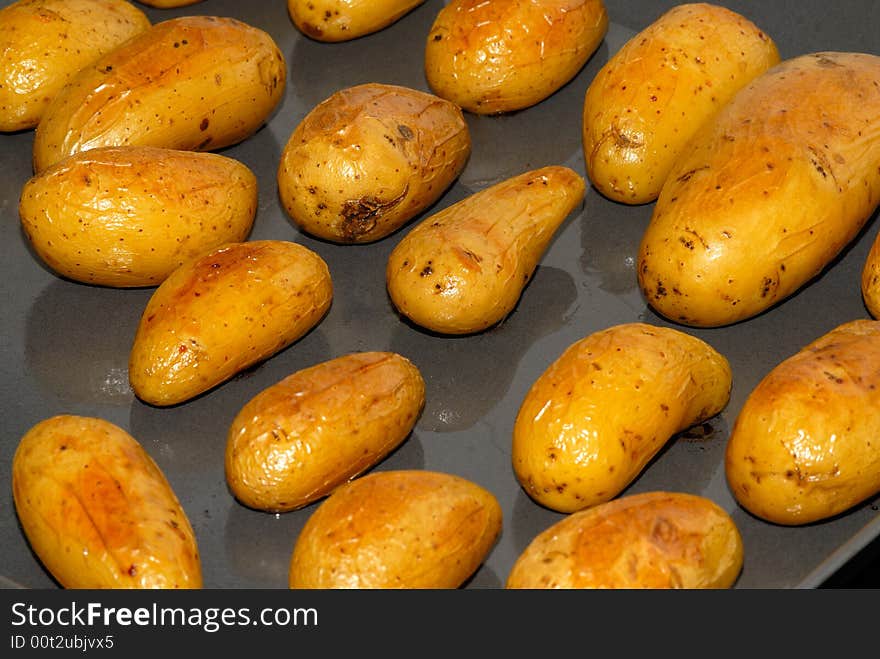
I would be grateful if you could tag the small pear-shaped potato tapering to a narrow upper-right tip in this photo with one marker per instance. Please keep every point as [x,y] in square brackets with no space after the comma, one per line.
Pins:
[463,269]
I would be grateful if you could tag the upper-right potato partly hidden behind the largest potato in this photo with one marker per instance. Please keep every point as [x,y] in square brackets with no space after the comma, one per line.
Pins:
[655,92]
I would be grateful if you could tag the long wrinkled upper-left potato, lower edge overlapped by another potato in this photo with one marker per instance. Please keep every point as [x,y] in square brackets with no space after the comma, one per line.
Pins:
[196,83]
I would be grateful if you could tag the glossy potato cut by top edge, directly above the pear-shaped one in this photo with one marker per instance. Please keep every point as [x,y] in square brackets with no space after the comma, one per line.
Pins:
[495,56]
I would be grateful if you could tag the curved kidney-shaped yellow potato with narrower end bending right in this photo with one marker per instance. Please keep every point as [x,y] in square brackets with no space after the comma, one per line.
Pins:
[593,420]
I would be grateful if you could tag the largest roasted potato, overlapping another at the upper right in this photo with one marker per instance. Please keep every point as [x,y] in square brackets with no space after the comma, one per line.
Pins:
[767,193]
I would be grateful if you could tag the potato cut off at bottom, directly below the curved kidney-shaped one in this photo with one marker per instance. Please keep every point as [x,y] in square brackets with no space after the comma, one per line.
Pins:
[653,540]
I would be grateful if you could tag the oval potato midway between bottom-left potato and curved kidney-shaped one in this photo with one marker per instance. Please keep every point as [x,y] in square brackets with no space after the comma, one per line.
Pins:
[296,441]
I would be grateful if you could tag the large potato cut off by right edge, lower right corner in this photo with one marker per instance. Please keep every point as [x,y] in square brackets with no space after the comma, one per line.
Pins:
[804,445]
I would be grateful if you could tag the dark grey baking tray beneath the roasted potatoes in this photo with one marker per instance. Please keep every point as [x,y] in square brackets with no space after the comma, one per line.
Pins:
[65,344]
